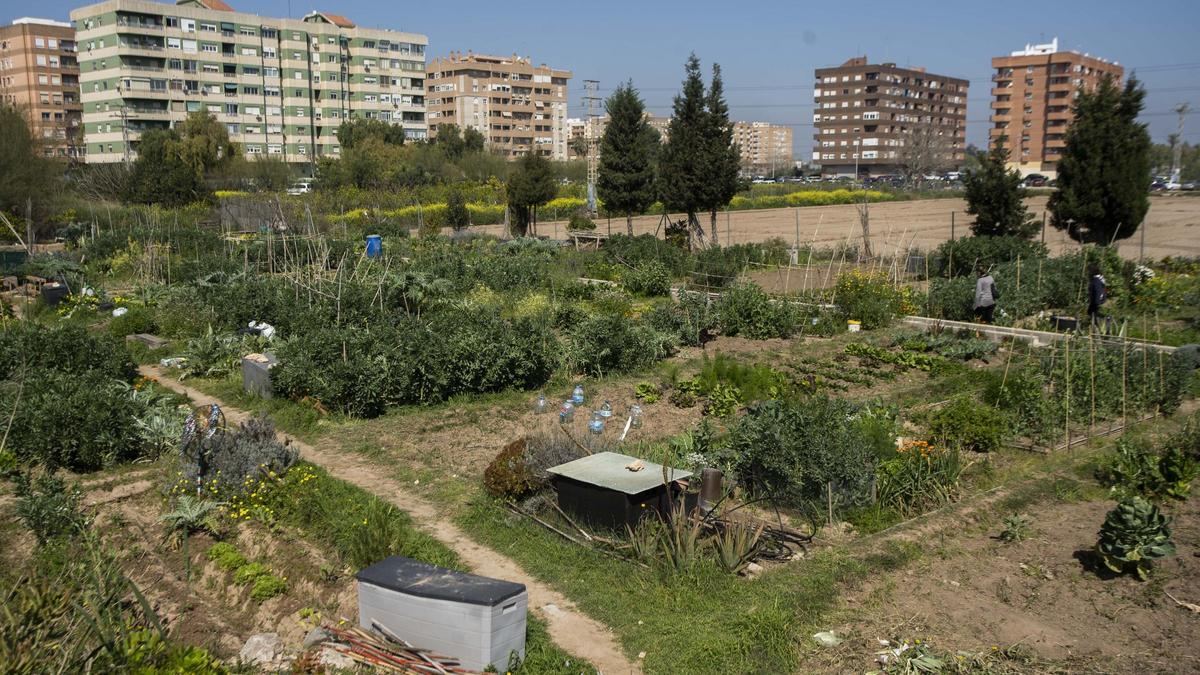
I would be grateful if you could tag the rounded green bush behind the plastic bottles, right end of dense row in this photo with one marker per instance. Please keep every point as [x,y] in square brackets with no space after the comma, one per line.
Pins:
[608,343]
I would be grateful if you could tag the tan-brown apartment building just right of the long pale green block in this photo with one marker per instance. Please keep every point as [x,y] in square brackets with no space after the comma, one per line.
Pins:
[519,107]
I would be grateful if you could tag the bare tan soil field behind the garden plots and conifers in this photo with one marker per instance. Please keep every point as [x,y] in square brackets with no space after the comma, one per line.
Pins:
[1173,226]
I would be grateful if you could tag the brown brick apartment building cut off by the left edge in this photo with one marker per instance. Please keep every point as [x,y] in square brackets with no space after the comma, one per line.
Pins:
[40,75]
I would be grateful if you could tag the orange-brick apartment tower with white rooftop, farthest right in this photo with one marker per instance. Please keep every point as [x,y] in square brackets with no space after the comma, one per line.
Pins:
[1033,93]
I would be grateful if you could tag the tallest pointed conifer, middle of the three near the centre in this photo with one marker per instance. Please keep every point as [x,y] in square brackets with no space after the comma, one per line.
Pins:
[682,174]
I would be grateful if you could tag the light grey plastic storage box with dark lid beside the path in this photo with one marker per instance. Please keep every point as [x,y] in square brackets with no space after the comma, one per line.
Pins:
[478,620]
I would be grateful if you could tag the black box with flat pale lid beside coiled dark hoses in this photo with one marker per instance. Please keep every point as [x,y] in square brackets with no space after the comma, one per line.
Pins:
[602,491]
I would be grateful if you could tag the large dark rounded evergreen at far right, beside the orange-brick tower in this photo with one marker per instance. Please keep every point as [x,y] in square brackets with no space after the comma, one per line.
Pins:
[1106,166]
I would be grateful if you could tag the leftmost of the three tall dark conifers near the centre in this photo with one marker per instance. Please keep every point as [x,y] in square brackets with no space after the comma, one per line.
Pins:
[628,150]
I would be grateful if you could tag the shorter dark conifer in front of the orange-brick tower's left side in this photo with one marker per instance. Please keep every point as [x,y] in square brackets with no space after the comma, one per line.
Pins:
[997,199]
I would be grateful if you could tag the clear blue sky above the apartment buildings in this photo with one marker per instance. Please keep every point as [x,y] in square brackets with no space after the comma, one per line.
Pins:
[769,50]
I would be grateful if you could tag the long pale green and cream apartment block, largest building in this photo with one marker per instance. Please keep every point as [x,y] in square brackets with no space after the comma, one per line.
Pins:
[281,87]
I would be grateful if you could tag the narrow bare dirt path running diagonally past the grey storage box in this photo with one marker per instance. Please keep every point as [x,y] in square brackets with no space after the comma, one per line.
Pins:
[572,630]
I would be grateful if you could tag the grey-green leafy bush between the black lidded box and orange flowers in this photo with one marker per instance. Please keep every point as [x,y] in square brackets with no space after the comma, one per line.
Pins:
[793,451]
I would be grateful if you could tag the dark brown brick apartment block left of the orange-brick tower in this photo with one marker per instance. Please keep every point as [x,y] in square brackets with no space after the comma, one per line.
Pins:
[880,120]
